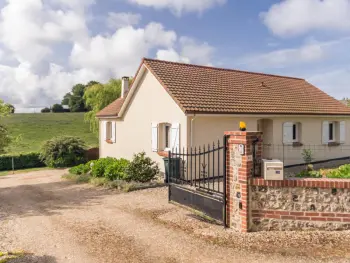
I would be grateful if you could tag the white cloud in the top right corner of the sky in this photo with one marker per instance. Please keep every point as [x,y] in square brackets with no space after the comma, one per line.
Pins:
[295,17]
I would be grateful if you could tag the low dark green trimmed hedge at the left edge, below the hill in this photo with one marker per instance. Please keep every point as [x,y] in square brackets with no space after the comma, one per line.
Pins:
[21,161]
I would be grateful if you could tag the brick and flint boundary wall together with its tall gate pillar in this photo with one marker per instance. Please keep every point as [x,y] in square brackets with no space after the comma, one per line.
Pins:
[254,204]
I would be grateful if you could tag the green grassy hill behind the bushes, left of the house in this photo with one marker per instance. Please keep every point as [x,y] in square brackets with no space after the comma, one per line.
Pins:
[37,128]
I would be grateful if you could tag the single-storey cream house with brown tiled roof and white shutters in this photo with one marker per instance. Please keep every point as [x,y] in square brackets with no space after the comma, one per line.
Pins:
[171,106]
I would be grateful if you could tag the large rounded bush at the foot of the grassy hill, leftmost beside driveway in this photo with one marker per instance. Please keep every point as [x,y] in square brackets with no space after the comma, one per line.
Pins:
[63,152]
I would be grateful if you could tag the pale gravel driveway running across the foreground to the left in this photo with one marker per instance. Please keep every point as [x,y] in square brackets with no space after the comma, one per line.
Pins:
[57,221]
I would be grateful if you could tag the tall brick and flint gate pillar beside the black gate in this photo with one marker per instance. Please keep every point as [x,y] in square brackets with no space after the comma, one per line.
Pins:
[239,165]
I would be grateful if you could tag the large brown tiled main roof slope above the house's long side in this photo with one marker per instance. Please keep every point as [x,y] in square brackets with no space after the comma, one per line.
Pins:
[201,89]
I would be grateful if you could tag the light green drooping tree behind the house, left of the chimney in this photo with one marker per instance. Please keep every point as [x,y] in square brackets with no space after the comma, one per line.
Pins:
[99,96]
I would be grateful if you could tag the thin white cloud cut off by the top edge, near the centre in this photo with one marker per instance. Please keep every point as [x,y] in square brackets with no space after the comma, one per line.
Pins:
[180,6]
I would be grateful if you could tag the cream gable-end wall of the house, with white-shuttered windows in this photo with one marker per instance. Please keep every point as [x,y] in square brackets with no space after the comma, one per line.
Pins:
[150,103]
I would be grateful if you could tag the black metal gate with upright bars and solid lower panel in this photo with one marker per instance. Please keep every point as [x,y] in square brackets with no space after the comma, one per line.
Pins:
[197,178]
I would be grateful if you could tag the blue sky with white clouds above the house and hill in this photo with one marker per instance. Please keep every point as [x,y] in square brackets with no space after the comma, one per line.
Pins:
[47,46]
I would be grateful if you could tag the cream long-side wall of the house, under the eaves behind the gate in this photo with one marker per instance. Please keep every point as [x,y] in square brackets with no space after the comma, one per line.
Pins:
[206,129]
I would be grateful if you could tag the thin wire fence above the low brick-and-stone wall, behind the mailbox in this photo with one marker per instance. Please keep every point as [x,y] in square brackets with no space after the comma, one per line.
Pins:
[294,154]
